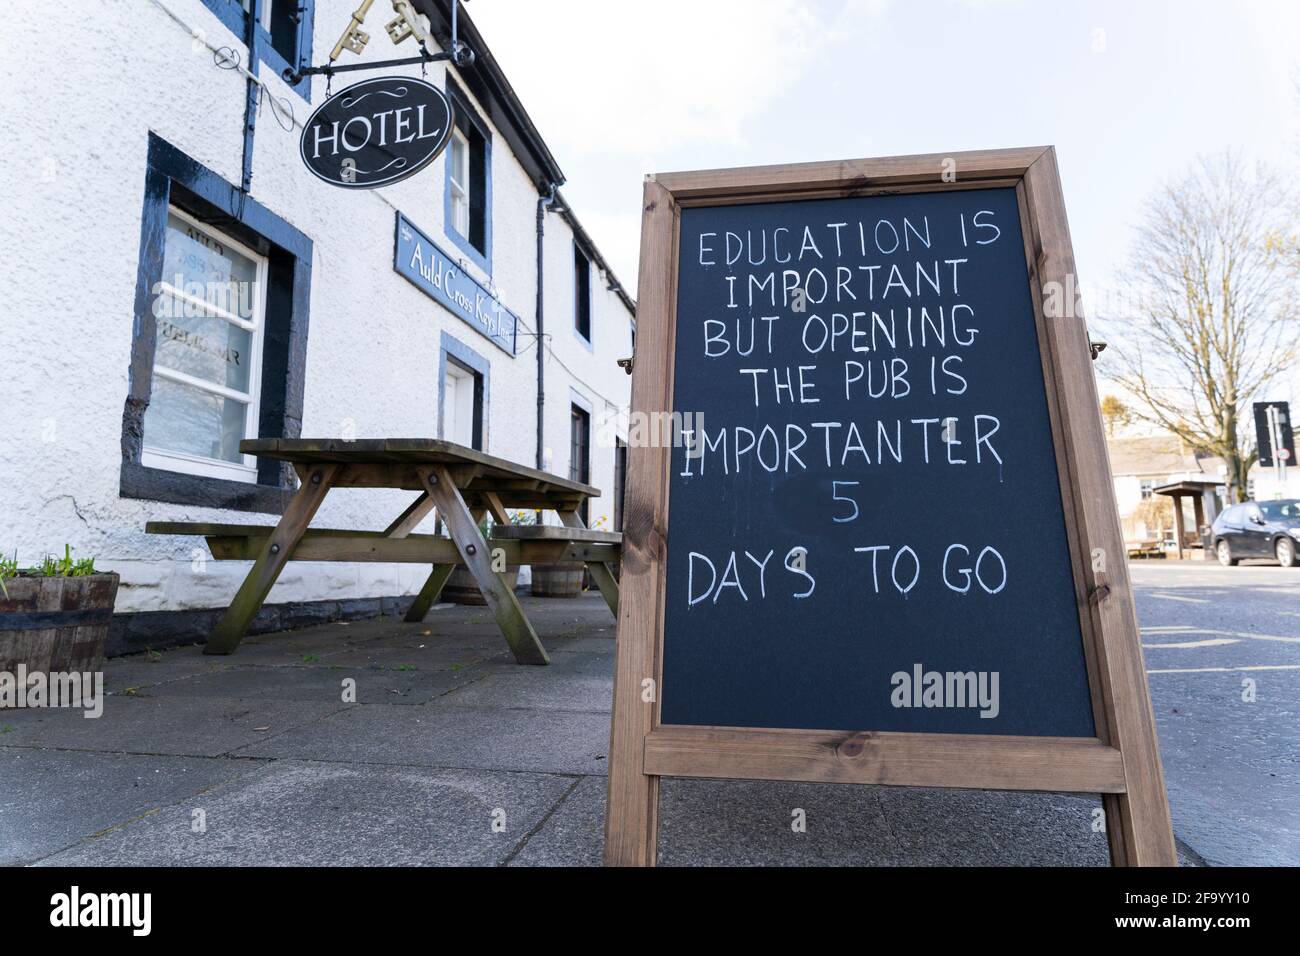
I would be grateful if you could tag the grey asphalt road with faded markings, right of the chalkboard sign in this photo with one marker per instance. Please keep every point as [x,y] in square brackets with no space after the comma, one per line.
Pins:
[1223,650]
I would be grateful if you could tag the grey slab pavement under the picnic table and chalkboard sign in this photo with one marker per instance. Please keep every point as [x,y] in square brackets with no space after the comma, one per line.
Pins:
[450,755]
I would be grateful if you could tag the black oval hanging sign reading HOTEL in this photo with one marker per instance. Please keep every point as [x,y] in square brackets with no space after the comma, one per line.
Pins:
[378,132]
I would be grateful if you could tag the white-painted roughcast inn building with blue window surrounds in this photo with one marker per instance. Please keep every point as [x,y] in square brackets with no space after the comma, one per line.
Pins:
[133,163]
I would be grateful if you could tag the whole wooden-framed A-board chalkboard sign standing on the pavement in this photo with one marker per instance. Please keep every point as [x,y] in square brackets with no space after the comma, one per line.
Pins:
[873,538]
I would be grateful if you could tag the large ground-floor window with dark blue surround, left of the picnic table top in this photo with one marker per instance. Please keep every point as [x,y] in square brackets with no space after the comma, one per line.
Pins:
[220,347]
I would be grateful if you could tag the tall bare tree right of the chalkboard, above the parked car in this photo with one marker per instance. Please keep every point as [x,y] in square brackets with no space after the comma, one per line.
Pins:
[1212,288]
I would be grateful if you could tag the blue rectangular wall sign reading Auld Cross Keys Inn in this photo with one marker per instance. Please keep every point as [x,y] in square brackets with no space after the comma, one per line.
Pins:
[440,278]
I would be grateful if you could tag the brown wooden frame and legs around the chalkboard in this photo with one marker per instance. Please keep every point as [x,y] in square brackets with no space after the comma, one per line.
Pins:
[1121,764]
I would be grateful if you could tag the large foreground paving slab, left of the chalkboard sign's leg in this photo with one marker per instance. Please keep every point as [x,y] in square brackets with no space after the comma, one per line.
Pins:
[328,815]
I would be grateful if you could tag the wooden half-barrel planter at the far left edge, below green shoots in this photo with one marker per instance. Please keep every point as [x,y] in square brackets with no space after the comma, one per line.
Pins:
[57,625]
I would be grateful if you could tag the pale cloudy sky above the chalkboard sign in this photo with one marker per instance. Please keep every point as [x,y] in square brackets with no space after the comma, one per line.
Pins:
[1129,93]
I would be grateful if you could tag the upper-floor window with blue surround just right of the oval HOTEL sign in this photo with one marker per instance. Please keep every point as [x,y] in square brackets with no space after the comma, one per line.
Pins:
[467,209]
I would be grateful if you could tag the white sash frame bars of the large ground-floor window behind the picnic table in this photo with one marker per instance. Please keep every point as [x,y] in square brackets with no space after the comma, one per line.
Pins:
[198,465]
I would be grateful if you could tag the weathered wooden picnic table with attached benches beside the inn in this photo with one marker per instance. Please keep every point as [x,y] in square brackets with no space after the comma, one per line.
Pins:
[457,483]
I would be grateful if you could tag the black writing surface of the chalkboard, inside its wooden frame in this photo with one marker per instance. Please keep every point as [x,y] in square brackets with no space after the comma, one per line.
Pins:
[866,531]
